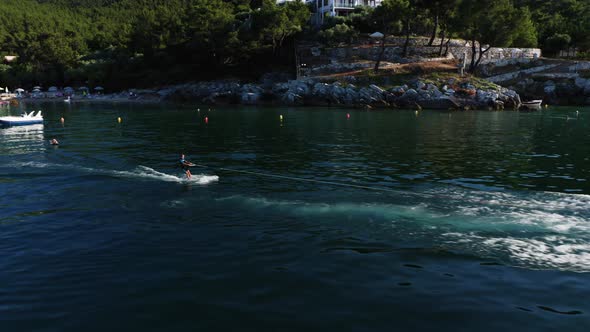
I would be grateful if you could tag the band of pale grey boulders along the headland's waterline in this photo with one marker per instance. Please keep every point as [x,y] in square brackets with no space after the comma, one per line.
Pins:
[312,92]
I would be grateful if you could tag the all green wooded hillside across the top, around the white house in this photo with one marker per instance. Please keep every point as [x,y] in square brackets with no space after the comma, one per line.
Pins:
[123,43]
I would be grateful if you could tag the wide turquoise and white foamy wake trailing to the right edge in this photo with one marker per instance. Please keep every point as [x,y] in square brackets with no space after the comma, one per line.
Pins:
[539,230]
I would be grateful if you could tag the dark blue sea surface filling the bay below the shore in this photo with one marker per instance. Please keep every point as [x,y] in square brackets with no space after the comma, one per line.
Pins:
[472,221]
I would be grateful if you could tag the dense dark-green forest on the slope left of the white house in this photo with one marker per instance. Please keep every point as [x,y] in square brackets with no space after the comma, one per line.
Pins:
[121,43]
